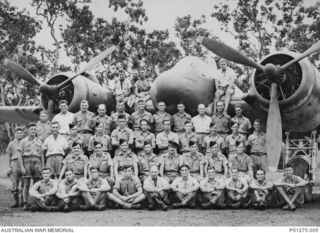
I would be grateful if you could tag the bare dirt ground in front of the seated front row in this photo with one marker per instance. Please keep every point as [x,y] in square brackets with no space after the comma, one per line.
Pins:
[309,215]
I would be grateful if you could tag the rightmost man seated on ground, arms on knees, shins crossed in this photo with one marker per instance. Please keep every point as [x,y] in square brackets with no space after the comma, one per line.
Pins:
[291,189]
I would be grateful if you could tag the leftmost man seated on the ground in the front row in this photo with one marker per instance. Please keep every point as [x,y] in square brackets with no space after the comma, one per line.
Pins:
[43,193]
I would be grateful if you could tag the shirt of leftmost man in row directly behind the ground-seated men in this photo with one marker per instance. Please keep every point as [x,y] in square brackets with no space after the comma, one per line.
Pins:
[76,164]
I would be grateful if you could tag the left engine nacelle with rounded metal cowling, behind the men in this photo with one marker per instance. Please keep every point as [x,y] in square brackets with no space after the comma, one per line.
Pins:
[80,89]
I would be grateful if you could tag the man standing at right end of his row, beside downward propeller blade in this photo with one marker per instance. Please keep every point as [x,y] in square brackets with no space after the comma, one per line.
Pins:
[257,147]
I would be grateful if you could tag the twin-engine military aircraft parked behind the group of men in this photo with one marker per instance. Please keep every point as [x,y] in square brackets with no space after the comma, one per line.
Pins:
[285,91]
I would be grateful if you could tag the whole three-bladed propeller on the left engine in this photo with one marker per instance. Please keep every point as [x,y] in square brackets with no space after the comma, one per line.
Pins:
[52,91]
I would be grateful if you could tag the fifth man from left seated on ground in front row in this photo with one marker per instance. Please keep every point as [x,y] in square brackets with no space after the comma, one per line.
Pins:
[157,190]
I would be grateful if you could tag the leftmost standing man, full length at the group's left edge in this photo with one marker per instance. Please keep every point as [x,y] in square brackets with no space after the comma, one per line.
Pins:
[15,171]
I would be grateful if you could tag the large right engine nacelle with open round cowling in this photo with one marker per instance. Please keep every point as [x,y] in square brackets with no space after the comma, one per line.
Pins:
[299,92]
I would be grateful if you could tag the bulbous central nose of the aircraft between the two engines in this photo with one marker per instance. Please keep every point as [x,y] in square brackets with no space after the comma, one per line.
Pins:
[190,81]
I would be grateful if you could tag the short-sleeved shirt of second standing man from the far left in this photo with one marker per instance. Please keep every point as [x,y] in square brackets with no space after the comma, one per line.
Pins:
[30,147]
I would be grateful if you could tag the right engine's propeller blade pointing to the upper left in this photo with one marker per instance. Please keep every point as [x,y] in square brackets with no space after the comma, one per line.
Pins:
[228,53]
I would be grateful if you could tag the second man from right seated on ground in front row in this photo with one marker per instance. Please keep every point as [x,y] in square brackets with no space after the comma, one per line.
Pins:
[261,190]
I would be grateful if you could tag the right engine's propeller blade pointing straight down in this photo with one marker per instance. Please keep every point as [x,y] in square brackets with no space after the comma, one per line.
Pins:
[274,130]
